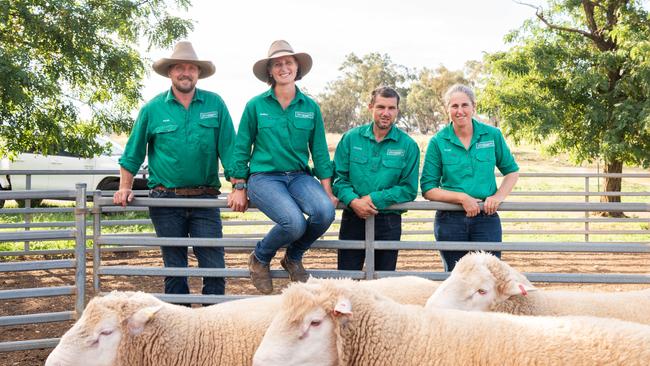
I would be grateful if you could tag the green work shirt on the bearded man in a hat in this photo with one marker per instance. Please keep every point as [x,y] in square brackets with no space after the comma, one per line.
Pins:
[184,145]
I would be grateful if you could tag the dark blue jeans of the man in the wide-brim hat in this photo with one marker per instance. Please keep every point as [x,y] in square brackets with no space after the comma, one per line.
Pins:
[183,222]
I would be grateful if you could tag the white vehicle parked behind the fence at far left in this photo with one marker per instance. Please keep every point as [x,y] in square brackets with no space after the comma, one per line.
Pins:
[66,161]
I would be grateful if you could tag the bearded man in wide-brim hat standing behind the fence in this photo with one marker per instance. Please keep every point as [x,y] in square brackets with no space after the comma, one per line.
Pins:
[184,131]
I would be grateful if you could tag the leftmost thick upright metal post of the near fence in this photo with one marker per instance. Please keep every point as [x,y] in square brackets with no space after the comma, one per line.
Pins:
[80,247]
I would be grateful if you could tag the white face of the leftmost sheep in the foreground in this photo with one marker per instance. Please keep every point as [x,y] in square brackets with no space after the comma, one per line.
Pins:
[92,341]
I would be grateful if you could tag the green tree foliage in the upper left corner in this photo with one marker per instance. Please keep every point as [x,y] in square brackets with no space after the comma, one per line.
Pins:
[61,58]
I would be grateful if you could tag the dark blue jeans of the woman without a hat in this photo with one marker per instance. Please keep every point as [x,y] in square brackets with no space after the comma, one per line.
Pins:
[456,226]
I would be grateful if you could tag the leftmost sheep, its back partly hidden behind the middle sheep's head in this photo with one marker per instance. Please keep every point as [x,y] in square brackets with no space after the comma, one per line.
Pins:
[138,329]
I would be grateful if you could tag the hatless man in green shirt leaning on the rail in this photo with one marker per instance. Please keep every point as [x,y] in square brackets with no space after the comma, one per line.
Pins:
[376,166]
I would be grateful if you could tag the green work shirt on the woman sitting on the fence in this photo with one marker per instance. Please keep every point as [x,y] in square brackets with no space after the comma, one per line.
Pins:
[281,140]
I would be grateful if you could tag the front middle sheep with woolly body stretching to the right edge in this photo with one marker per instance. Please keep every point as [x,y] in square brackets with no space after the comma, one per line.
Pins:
[325,323]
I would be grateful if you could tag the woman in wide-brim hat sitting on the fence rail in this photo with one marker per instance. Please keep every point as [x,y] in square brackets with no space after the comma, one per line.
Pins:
[278,131]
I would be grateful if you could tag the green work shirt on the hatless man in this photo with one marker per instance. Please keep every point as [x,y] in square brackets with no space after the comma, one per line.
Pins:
[385,170]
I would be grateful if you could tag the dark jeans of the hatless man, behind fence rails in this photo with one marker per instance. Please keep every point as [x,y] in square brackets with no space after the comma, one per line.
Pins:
[387,227]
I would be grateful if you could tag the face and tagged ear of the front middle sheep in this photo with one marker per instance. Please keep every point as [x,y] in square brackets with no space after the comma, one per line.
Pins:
[302,333]
